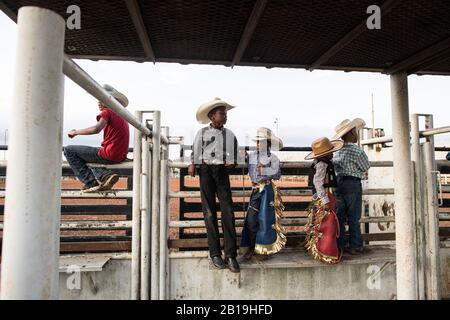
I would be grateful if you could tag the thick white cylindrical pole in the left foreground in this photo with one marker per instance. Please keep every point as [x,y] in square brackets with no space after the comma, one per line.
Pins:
[30,261]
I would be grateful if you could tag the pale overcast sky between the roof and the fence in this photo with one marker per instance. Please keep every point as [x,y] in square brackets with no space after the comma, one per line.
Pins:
[308,105]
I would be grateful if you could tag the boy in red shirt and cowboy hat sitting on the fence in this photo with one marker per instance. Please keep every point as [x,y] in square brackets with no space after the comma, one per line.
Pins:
[114,147]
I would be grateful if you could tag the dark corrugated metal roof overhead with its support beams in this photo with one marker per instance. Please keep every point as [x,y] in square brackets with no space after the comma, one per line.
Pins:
[414,34]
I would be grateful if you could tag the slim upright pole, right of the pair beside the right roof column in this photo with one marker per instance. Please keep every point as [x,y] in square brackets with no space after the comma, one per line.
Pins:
[433,257]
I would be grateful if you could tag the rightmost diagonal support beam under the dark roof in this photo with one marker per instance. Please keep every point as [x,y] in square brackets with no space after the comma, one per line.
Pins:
[425,58]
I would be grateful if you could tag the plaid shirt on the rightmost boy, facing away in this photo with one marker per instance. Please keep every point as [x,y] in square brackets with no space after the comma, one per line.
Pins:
[351,160]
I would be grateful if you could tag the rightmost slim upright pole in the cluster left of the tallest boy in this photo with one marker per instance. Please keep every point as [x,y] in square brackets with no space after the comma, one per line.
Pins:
[163,222]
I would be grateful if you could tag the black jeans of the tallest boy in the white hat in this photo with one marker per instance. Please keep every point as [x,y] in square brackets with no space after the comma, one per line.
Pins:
[214,180]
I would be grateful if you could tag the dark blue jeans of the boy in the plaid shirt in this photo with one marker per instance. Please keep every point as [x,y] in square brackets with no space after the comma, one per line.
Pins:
[348,210]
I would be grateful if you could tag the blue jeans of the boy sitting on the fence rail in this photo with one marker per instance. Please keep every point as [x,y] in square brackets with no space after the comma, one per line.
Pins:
[79,156]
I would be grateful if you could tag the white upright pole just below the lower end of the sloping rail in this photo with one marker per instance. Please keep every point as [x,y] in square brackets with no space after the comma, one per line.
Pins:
[145,220]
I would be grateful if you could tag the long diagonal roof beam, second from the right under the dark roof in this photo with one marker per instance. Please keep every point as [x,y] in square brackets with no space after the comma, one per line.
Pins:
[386,7]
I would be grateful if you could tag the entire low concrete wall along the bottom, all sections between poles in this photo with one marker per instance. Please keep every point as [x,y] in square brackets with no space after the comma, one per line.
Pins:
[192,278]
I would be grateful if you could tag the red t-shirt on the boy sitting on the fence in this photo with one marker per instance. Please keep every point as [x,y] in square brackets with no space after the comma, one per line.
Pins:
[116,137]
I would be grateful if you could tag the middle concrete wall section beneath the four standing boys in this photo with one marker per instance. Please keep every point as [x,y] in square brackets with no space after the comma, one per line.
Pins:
[327,282]
